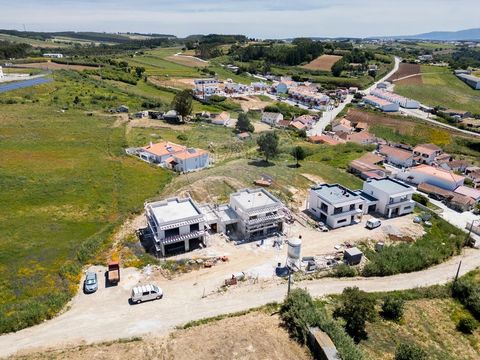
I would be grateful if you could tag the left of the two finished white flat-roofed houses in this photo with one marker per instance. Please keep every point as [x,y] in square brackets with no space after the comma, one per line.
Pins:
[335,205]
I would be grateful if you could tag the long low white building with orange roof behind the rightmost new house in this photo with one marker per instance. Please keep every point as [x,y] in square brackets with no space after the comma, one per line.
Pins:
[444,179]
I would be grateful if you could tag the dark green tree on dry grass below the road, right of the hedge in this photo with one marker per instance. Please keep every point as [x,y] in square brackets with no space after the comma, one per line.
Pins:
[355,308]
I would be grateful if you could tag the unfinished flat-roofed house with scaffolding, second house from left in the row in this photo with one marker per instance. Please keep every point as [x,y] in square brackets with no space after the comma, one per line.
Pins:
[259,212]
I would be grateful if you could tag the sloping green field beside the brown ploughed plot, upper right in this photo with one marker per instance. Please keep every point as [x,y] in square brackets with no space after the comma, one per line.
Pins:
[441,88]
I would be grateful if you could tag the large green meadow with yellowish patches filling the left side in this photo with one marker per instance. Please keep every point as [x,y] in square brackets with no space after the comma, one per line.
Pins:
[66,184]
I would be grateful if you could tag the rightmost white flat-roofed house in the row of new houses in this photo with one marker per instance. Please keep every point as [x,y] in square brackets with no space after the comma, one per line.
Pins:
[394,197]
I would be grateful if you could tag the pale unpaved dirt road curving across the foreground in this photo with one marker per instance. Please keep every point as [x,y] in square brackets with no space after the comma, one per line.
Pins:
[106,315]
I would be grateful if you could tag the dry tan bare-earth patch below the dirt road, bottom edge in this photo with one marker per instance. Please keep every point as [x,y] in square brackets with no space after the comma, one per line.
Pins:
[252,336]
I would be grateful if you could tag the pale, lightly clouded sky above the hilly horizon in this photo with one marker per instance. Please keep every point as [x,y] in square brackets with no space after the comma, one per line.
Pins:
[260,18]
